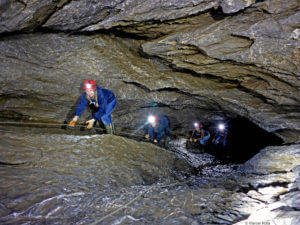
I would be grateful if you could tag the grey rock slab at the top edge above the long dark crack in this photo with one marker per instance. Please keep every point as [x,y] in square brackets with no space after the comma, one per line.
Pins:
[94,16]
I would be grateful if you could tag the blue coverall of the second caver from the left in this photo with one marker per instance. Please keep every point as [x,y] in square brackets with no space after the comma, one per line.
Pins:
[162,128]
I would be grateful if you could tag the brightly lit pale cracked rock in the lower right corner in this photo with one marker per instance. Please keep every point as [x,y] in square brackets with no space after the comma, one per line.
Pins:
[276,184]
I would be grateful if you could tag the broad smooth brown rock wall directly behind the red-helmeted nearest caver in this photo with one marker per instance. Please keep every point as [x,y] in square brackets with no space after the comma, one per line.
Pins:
[42,77]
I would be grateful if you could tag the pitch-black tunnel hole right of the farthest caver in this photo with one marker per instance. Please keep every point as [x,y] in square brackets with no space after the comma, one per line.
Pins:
[245,139]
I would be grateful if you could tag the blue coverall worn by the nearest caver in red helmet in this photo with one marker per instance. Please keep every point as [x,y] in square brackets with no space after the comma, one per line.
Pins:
[107,102]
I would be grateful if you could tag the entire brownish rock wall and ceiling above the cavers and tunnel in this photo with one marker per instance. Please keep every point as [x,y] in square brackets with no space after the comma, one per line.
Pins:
[192,59]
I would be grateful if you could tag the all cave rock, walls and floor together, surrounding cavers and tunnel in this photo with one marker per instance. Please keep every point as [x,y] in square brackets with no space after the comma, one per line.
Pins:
[191,60]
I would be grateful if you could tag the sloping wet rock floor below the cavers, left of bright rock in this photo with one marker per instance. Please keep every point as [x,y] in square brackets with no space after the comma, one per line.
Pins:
[52,176]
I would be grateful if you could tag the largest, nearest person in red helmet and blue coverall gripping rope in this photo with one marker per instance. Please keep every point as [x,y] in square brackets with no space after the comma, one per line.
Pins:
[101,102]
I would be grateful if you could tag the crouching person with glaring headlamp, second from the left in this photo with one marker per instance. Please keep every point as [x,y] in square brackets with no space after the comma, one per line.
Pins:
[158,128]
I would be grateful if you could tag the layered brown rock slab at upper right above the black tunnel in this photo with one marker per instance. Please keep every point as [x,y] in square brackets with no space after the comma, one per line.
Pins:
[243,50]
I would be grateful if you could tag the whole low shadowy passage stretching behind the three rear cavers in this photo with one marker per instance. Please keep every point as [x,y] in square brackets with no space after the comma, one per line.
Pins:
[245,138]
